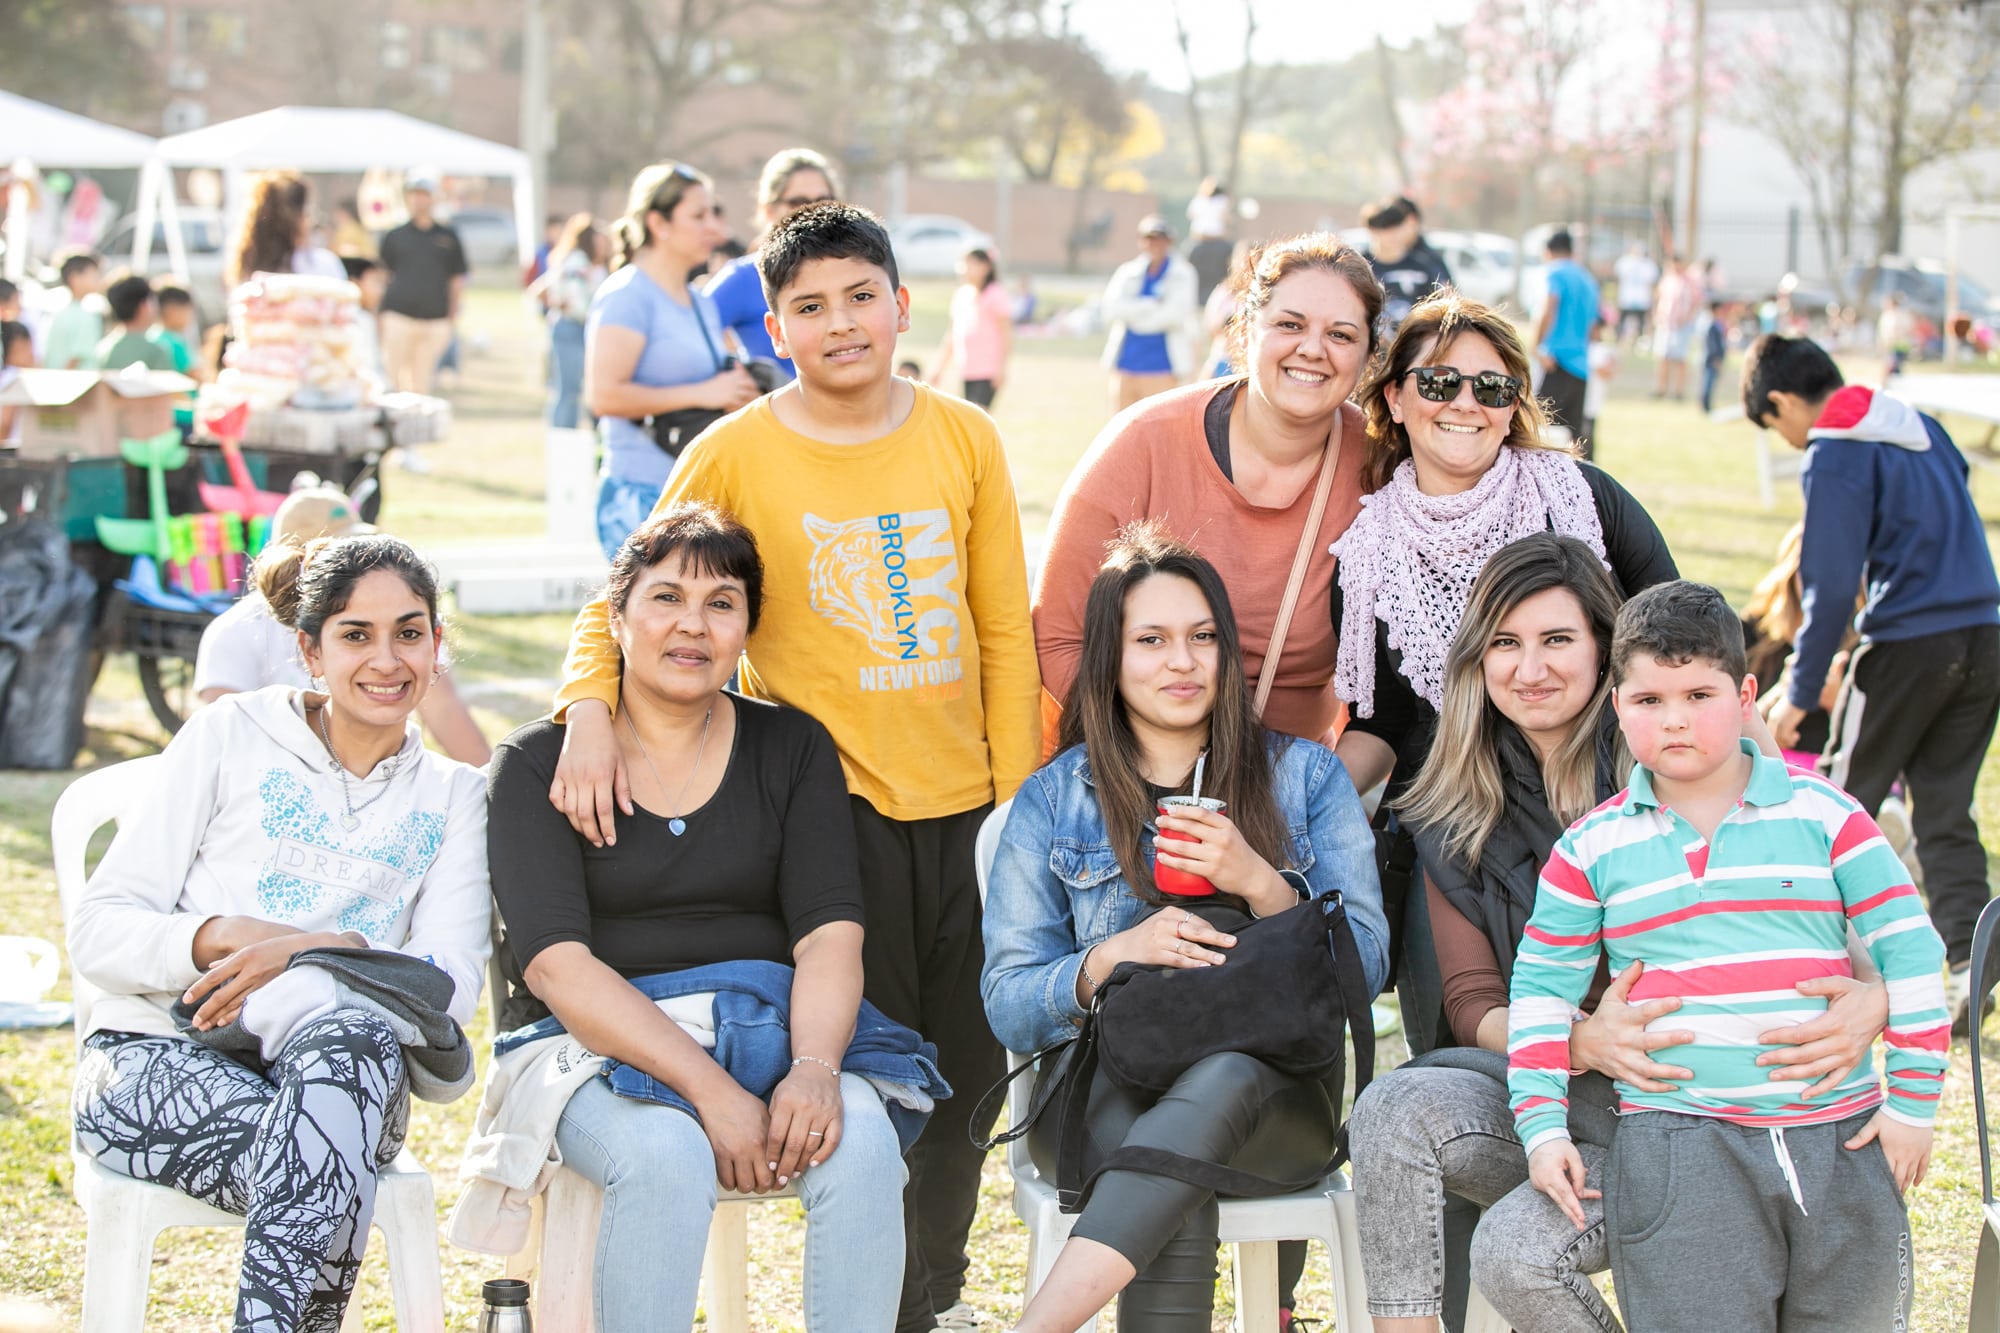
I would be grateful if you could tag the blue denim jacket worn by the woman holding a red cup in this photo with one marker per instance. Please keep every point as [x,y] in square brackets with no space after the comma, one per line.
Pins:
[1057,888]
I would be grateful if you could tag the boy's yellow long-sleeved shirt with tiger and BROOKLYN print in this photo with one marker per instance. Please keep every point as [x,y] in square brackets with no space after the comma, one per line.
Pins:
[895,599]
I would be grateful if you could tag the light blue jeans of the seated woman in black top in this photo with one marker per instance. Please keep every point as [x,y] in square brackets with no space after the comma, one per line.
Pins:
[659,1180]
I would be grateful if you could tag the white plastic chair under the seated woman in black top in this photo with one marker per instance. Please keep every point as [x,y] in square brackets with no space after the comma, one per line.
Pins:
[565,1242]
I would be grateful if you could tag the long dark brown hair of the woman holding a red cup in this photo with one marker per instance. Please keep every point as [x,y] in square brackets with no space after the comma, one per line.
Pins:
[1095,716]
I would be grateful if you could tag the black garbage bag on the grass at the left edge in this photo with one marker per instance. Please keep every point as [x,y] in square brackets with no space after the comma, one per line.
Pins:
[47,627]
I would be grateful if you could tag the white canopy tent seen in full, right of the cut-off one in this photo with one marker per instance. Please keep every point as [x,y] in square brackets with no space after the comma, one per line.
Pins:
[331,139]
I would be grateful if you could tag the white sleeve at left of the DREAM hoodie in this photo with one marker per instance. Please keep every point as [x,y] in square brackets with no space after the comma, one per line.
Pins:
[129,934]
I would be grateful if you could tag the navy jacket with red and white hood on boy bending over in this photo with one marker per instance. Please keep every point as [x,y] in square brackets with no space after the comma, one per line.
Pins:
[1887,503]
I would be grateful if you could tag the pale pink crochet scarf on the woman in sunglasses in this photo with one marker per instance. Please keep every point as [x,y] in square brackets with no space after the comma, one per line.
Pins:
[1409,559]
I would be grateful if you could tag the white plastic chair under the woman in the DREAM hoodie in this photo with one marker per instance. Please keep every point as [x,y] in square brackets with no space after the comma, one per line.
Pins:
[127,1216]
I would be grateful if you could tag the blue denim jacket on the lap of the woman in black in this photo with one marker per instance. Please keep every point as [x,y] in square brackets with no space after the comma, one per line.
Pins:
[755,1042]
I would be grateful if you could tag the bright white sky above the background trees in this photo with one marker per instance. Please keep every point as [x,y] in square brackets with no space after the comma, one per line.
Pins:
[1139,35]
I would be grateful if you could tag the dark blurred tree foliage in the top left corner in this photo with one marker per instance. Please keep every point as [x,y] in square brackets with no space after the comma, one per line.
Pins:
[77,55]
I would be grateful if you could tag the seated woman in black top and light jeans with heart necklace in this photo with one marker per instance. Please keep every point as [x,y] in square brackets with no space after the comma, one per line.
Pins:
[737,860]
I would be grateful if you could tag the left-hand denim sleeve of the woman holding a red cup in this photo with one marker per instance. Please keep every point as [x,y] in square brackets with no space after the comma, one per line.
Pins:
[1029,982]
